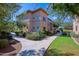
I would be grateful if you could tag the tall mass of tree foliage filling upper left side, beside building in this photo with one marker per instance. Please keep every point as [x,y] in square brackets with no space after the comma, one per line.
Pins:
[6,14]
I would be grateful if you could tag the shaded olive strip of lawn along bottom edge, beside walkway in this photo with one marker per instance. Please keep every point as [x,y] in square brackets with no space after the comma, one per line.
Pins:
[55,52]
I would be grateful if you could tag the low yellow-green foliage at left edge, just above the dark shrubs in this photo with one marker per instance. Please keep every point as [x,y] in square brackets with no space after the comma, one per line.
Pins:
[8,26]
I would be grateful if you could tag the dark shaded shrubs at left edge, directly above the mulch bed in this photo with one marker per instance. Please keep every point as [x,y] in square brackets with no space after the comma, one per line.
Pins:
[5,39]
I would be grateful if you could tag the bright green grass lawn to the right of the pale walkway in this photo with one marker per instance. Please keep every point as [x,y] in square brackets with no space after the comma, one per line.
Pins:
[63,45]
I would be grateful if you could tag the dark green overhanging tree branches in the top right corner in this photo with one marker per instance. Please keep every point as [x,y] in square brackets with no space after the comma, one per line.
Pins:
[68,9]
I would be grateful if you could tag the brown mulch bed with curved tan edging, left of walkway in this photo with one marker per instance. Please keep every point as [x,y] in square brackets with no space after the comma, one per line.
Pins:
[11,50]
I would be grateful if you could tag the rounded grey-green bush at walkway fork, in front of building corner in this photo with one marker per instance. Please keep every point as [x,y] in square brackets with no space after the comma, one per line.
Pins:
[35,35]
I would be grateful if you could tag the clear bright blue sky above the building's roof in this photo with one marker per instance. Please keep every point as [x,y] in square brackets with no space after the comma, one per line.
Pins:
[32,6]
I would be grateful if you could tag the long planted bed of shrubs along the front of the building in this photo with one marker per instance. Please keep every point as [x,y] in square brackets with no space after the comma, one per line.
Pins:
[38,35]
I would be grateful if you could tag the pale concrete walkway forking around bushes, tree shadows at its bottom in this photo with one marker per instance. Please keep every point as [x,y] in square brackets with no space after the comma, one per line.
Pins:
[34,48]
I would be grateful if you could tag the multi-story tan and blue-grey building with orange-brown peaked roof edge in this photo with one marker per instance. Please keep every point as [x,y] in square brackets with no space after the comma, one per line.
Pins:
[36,21]
